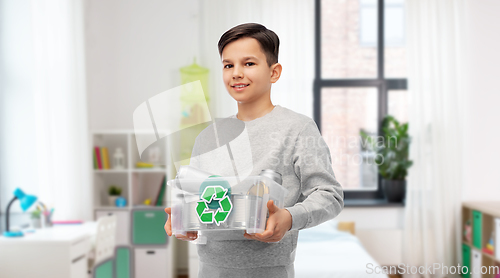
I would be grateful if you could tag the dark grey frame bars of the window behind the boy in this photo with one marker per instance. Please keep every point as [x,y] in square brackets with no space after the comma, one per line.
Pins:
[382,84]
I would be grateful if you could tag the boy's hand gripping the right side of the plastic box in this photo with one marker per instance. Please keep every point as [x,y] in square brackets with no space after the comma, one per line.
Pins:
[279,222]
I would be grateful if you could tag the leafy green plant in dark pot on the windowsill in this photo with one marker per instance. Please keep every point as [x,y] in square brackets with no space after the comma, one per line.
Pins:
[392,150]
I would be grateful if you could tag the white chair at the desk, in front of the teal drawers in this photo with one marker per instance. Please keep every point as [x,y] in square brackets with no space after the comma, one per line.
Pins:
[103,264]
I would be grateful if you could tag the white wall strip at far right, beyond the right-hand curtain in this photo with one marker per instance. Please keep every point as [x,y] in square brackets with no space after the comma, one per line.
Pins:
[482,139]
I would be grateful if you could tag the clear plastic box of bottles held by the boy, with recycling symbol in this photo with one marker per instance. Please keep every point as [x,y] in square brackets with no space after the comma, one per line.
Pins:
[223,203]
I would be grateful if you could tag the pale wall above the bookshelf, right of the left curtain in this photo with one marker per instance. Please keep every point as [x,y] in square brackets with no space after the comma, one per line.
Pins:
[134,51]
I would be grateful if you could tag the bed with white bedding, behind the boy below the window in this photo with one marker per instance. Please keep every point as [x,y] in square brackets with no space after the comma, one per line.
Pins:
[331,250]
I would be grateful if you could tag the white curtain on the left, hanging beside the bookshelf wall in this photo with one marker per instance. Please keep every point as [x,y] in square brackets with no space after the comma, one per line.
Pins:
[62,135]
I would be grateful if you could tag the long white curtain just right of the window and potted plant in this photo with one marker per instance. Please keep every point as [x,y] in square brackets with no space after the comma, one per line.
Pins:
[435,47]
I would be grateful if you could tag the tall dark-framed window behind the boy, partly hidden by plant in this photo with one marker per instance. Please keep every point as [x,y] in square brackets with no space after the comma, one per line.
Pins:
[360,76]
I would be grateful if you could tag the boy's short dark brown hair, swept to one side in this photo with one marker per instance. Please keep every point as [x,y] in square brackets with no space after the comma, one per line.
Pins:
[267,39]
